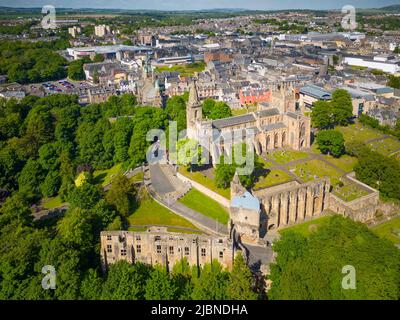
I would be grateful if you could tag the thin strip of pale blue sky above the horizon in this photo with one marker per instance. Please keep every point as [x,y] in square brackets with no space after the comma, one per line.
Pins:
[201,4]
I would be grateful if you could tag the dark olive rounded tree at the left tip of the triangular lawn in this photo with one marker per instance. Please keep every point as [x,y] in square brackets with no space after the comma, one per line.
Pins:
[122,195]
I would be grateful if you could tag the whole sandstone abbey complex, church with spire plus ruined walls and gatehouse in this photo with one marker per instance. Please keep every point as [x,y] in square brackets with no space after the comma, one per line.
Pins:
[255,215]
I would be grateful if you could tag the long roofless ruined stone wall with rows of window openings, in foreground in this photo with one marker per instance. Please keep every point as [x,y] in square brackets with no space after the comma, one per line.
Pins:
[157,246]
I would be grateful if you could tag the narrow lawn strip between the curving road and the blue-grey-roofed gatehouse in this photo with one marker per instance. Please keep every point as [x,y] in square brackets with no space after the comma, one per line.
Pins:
[199,202]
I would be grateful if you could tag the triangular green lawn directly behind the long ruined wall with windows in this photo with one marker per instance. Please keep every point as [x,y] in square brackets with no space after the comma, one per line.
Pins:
[151,213]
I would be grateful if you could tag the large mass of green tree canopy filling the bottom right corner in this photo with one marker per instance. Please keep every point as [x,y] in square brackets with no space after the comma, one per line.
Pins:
[312,268]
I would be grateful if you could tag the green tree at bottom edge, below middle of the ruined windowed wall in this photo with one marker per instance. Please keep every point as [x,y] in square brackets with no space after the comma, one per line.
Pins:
[160,285]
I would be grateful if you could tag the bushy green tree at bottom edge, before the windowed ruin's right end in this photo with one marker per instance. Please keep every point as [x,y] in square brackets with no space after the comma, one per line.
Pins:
[212,283]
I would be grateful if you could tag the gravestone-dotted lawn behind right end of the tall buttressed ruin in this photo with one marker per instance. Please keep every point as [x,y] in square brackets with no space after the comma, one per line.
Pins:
[307,171]
